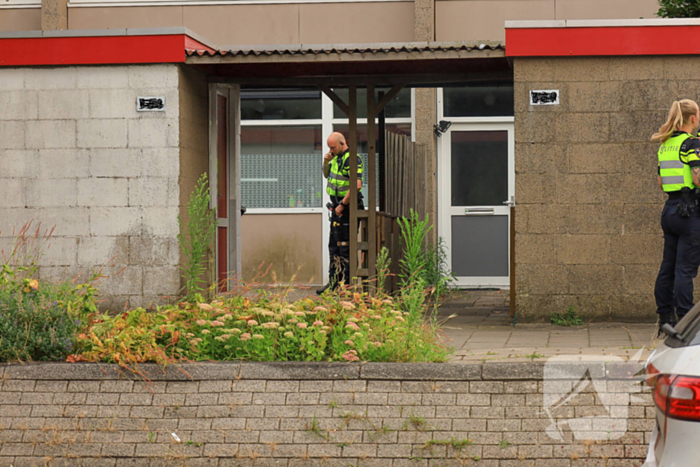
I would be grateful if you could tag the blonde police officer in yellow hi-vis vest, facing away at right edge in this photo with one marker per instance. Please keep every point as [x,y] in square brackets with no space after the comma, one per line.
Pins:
[679,175]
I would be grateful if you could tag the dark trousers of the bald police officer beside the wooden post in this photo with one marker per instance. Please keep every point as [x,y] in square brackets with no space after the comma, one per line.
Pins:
[339,268]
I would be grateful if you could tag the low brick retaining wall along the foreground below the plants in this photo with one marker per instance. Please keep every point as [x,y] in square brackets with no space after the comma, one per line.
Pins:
[297,414]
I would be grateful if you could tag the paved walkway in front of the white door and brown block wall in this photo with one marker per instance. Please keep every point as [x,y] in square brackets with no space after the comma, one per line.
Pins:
[478,325]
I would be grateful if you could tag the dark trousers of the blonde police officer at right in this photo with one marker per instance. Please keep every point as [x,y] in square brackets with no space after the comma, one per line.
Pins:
[674,284]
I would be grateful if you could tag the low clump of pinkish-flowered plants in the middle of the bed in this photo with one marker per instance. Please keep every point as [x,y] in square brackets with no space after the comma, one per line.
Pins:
[345,327]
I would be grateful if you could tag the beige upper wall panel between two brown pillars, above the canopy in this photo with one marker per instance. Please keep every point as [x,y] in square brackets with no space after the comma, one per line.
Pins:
[307,23]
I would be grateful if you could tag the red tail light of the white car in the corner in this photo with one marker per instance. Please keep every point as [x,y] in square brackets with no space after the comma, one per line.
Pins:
[678,396]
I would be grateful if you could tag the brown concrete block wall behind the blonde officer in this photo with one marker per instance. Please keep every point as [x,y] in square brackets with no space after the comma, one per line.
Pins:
[588,229]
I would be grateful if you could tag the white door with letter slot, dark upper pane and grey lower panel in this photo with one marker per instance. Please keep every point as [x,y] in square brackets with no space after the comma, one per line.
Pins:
[477,187]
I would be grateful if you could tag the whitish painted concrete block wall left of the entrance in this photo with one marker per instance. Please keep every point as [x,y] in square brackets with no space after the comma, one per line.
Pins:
[75,153]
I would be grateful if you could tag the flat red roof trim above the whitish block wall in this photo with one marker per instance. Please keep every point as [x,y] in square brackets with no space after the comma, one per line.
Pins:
[92,50]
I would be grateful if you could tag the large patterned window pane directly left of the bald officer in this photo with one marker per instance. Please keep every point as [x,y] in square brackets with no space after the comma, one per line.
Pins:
[281,167]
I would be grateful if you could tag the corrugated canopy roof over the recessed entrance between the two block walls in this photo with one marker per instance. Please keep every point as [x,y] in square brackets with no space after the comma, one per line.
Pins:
[409,63]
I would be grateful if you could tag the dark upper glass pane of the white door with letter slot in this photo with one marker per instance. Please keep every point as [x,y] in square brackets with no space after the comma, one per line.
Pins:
[479,161]
